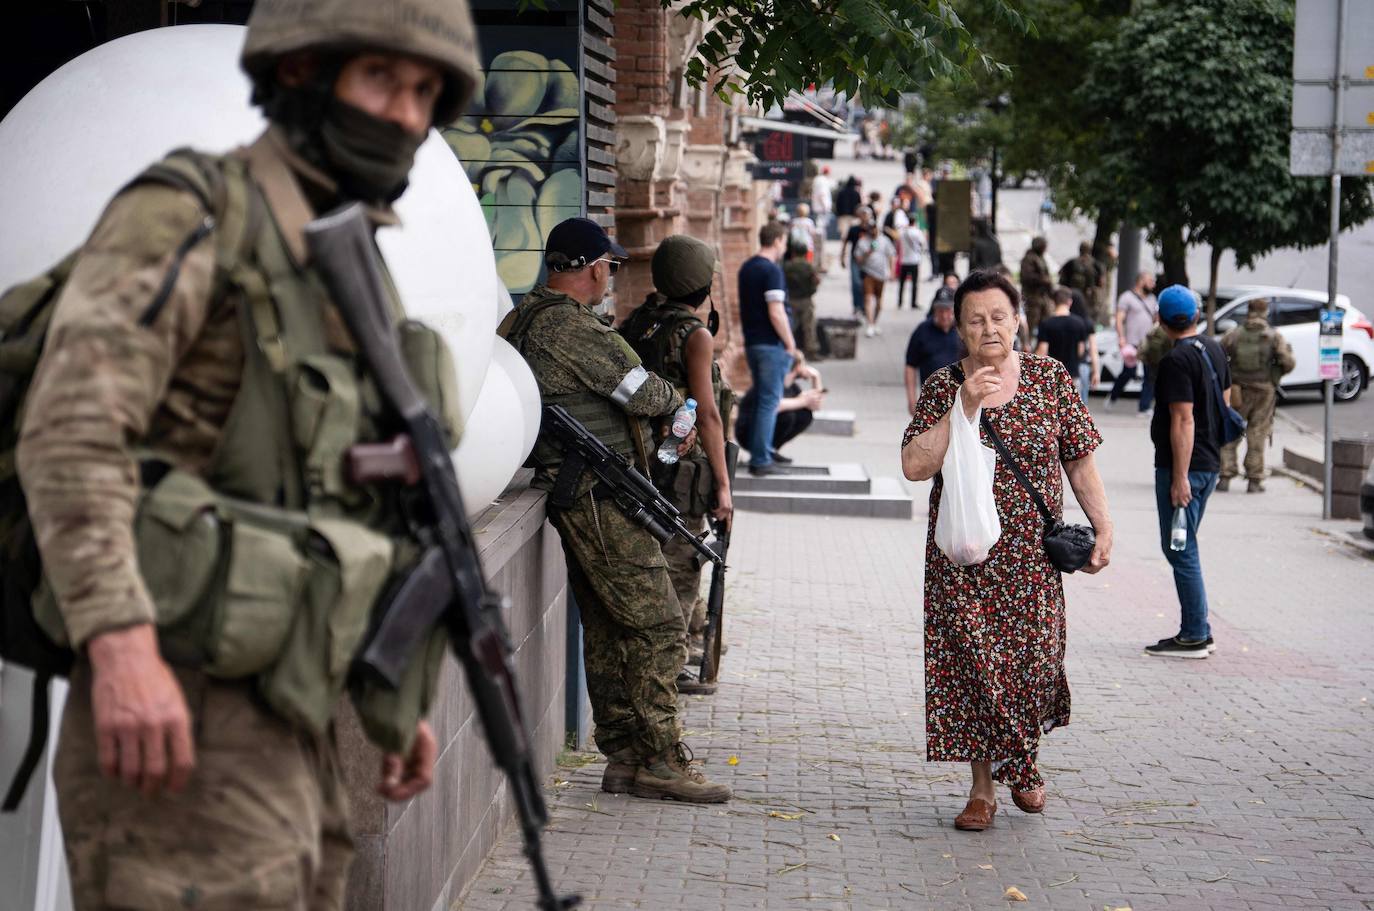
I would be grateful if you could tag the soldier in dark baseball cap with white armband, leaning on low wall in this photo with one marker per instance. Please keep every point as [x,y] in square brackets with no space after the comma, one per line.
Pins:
[633,627]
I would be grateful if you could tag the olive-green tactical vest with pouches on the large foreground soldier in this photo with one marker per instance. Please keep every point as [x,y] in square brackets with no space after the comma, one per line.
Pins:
[270,564]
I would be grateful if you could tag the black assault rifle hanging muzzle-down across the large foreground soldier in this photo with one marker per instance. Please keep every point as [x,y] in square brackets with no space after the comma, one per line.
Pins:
[449,586]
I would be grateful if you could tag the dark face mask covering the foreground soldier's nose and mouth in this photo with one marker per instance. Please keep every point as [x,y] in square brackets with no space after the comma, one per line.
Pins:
[370,157]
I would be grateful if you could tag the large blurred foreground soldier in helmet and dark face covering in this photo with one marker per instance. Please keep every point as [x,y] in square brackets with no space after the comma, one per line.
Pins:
[179,785]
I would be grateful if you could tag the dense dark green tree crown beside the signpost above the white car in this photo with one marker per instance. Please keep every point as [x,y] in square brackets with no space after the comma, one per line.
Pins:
[1195,100]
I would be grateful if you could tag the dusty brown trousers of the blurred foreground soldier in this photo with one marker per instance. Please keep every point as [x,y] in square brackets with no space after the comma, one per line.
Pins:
[263,822]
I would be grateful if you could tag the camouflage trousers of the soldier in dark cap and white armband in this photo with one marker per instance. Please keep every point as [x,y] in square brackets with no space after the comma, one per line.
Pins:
[633,629]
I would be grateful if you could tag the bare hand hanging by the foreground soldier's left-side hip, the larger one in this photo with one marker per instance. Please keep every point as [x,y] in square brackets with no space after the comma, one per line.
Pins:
[142,725]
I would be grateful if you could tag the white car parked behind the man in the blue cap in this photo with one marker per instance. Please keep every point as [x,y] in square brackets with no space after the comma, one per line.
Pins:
[1295,314]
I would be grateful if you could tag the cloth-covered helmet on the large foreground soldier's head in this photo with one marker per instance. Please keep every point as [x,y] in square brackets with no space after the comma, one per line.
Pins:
[438,31]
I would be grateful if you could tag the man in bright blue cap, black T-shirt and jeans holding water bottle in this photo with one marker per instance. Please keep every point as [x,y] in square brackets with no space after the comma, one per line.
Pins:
[1192,388]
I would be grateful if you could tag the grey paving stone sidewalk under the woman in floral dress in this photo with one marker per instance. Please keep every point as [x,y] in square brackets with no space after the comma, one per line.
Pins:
[1246,781]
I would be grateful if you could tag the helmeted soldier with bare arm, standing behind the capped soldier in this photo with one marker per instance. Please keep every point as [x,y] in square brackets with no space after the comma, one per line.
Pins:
[674,343]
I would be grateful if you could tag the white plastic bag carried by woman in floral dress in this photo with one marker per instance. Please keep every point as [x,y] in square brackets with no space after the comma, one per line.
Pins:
[968,526]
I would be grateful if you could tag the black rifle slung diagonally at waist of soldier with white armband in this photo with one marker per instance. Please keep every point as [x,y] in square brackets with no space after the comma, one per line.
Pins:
[634,494]
